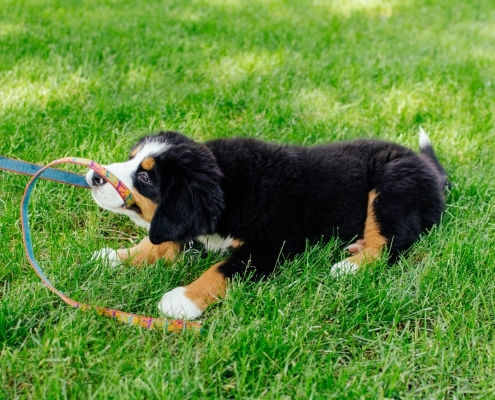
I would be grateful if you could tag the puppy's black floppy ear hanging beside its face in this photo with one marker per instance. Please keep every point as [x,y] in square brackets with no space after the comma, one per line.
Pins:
[192,200]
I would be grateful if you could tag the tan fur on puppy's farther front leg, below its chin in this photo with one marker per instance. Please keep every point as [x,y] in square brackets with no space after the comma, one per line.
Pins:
[147,253]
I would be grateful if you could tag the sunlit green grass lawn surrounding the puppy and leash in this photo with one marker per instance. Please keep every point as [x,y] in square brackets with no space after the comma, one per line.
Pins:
[87,78]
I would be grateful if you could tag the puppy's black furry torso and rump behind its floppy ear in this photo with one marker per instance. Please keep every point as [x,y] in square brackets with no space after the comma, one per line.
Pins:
[296,193]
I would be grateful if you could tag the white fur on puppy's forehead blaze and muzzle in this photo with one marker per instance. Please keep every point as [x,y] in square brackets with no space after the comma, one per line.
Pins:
[108,198]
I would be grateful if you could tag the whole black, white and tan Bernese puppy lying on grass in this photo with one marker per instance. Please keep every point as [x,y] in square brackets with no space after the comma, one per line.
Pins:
[264,200]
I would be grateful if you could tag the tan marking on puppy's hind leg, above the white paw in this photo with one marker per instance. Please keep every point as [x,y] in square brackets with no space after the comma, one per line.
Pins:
[373,241]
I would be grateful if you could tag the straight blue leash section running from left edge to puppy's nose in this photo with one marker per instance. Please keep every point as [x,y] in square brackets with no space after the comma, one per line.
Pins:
[51,174]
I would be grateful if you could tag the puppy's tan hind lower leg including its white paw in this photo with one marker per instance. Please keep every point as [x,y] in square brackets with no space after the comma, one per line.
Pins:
[370,247]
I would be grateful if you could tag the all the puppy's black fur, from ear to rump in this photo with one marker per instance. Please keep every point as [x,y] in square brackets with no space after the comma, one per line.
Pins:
[275,198]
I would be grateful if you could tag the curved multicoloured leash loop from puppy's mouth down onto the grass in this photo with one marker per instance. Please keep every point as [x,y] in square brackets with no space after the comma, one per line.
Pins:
[128,318]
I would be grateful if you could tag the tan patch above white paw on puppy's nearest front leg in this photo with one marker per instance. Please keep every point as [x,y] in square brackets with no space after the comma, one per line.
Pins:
[208,288]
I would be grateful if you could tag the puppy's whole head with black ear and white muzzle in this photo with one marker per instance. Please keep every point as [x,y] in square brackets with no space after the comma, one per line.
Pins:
[176,185]
